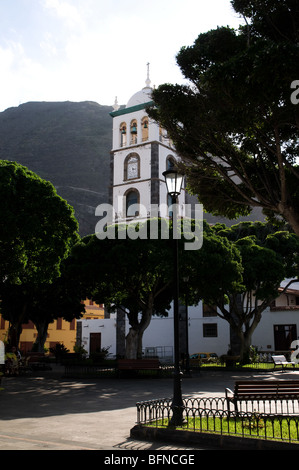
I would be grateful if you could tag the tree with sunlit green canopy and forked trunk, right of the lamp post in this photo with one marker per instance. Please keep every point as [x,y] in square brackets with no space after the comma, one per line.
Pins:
[267,258]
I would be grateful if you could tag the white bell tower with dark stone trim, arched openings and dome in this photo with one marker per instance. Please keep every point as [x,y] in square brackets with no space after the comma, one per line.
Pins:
[141,152]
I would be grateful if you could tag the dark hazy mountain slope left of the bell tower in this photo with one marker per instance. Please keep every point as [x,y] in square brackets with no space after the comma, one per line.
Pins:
[66,143]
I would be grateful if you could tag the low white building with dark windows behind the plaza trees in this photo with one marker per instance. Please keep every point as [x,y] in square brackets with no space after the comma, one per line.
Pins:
[277,329]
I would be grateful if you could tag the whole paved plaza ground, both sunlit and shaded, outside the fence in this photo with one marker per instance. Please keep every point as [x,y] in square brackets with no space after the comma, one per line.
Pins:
[45,411]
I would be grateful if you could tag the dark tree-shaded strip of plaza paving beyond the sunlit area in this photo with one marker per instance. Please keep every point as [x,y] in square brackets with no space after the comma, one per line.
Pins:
[50,395]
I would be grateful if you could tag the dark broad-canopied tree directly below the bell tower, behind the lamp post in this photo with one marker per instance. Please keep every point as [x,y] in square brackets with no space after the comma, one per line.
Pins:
[136,275]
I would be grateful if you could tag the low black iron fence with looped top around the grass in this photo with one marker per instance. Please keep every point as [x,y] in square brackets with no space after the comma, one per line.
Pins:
[210,415]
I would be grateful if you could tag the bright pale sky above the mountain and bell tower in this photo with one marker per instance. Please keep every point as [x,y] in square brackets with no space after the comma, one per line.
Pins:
[96,50]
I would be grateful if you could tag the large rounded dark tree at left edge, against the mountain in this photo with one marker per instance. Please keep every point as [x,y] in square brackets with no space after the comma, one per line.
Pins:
[37,233]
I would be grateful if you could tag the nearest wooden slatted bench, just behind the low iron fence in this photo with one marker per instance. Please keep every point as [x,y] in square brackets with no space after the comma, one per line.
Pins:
[262,390]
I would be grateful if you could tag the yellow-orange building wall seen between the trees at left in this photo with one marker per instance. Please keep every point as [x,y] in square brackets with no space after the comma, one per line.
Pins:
[60,331]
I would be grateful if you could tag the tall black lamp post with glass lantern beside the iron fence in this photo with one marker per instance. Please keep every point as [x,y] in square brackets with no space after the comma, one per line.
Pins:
[174,181]
